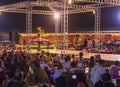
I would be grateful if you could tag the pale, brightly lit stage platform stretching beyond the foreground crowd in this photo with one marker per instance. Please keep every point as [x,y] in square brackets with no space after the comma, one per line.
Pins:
[109,57]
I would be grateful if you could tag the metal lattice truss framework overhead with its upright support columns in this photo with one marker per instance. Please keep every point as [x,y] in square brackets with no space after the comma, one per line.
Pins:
[49,7]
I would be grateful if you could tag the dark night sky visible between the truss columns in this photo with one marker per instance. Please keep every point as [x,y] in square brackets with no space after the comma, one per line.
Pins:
[110,20]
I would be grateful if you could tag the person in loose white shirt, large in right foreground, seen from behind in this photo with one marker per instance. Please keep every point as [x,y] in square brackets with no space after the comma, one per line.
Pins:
[97,72]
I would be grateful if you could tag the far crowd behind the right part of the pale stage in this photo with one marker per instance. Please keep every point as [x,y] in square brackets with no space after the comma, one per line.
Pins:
[92,45]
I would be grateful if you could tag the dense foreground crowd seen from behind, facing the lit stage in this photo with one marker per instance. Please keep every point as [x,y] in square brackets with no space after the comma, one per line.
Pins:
[21,69]
